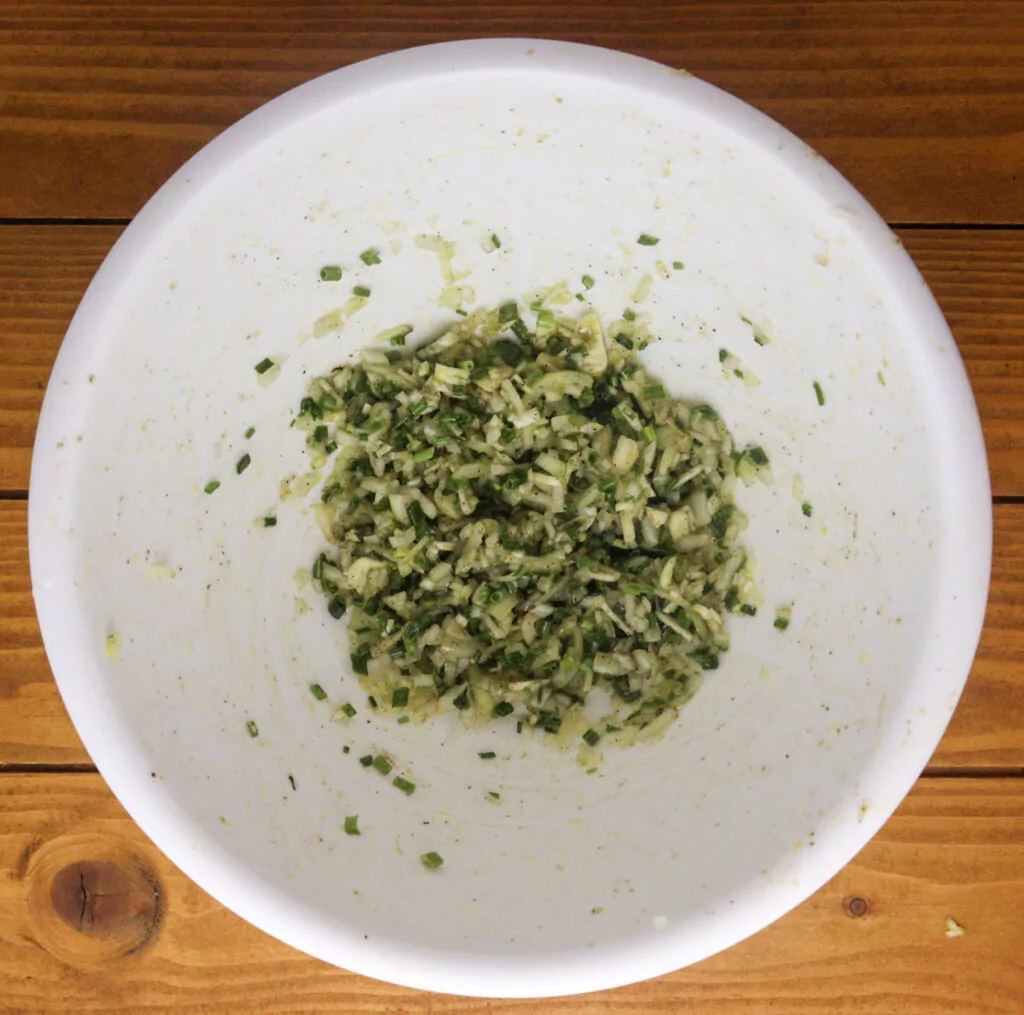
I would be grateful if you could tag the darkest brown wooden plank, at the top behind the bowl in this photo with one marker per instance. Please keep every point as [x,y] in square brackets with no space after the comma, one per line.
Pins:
[918,103]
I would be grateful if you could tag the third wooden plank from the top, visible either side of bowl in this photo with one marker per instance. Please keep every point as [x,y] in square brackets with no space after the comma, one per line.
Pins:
[987,731]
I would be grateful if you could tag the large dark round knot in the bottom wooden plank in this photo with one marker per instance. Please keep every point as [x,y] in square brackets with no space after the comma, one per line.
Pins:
[91,911]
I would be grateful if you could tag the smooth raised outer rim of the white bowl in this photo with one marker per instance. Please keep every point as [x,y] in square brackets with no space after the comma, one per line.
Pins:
[243,892]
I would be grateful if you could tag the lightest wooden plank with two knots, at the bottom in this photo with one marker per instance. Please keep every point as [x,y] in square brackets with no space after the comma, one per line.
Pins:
[953,851]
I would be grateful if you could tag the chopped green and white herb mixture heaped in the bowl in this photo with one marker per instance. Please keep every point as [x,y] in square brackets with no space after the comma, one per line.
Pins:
[518,515]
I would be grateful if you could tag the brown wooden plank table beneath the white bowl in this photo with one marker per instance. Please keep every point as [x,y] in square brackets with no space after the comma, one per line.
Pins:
[920,104]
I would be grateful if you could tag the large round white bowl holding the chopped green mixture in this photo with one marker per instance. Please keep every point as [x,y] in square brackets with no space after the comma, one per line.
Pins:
[790,757]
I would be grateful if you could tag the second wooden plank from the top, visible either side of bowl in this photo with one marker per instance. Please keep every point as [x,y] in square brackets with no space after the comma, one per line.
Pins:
[978,278]
